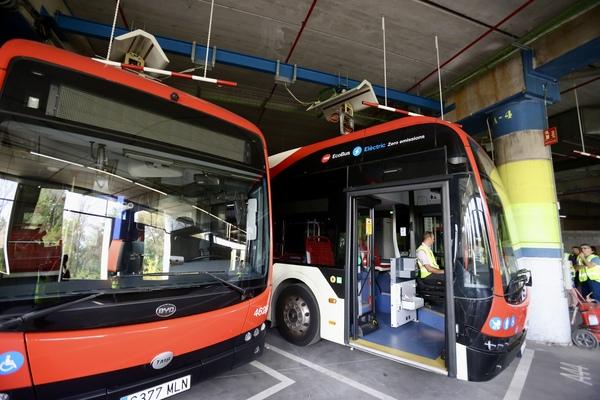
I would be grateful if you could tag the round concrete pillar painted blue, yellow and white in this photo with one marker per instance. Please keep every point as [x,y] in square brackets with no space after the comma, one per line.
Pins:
[525,166]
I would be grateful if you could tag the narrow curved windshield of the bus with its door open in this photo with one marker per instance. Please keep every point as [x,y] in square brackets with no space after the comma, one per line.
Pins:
[500,213]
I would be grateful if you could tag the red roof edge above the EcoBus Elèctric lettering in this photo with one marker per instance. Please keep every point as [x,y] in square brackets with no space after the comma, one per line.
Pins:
[281,161]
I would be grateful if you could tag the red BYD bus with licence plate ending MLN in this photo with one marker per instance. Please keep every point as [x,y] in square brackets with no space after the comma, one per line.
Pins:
[135,232]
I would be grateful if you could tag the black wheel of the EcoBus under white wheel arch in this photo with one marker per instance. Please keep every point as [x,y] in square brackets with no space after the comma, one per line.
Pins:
[298,315]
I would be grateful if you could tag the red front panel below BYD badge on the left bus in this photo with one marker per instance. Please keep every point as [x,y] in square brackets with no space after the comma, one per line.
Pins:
[57,356]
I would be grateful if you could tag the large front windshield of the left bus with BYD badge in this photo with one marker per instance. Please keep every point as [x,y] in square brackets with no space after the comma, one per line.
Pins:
[99,194]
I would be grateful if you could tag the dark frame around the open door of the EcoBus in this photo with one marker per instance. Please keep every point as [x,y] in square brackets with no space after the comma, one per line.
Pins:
[351,302]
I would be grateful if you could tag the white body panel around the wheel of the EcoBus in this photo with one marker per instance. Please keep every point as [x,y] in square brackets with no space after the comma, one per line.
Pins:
[331,314]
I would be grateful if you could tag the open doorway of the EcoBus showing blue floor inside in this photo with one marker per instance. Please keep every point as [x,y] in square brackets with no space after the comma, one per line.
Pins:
[388,314]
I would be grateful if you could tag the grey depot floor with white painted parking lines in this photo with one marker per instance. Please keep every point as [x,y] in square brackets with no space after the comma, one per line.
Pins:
[329,371]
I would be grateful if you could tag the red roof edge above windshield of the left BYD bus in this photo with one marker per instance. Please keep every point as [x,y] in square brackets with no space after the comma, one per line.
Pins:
[37,51]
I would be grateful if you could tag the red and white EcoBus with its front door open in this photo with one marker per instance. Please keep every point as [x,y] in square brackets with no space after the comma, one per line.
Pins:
[349,214]
